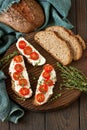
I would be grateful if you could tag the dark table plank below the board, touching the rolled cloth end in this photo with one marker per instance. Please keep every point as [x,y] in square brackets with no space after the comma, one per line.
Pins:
[33,121]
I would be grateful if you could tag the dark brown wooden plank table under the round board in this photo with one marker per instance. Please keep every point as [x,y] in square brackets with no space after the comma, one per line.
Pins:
[73,117]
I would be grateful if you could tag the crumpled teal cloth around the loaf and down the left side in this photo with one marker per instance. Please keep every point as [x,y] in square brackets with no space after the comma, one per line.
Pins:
[56,12]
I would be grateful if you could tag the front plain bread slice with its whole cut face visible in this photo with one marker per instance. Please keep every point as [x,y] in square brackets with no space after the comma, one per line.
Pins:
[53,44]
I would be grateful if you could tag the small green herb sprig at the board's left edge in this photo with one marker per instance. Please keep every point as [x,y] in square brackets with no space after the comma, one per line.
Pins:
[5,60]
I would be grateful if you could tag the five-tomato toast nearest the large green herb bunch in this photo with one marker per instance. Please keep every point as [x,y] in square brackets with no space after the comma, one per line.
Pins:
[45,85]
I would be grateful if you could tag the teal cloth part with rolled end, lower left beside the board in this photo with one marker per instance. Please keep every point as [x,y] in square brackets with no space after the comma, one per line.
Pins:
[8,109]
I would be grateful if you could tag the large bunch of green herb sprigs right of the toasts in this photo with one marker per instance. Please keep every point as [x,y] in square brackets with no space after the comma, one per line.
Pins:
[73,78]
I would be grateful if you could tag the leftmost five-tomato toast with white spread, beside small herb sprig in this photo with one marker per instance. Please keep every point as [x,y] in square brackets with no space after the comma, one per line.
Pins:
[19,77]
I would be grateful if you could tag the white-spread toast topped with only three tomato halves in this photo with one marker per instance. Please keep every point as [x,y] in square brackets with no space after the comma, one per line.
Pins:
[27,50]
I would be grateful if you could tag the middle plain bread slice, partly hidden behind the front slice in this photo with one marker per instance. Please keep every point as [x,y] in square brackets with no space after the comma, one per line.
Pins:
[68,36]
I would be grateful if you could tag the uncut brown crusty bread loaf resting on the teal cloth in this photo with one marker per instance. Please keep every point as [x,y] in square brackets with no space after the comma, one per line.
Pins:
[25,16]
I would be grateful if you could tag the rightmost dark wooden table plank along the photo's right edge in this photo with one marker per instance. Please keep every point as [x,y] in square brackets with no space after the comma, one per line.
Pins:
[82,29]
